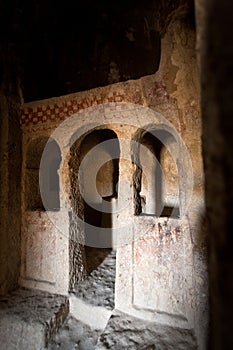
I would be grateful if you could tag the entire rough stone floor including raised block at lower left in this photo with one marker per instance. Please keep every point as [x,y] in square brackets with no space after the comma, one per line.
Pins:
[34,320]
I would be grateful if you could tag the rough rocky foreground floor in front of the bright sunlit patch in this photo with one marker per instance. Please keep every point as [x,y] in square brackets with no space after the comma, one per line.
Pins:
[123,332]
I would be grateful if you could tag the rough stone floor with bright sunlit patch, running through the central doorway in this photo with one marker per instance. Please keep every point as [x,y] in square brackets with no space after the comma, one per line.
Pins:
[94,324]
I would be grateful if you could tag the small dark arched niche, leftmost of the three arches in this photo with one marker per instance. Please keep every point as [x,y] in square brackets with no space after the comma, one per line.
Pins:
[43,159]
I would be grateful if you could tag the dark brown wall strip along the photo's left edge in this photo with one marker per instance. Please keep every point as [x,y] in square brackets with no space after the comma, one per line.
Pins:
[10,171]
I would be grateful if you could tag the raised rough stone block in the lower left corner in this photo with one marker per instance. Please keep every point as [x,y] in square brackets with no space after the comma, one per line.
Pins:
[28,319]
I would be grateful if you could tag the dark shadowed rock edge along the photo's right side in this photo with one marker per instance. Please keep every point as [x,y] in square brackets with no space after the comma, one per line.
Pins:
[217,107]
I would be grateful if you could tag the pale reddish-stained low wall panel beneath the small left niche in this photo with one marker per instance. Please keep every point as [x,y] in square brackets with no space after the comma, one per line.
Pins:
[45,249]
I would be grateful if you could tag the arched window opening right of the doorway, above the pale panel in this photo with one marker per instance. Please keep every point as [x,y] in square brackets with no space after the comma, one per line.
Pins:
[156,179]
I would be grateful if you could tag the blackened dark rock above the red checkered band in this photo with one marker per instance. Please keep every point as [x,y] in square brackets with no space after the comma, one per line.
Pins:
[76,46]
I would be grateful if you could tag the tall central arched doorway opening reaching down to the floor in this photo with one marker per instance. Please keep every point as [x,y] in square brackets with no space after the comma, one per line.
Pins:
[94,170]
